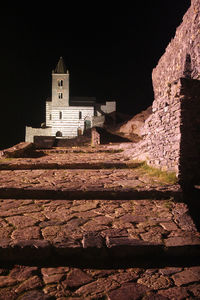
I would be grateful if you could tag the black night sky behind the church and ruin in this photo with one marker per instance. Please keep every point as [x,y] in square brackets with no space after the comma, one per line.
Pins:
[109,54]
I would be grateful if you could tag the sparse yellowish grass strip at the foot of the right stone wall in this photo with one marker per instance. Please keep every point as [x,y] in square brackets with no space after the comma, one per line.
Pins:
[162,176]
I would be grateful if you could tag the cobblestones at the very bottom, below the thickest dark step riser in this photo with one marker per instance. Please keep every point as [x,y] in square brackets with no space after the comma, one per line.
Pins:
[25,282]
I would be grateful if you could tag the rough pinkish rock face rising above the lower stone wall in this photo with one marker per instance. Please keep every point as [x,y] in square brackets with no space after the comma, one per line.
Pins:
[182,56]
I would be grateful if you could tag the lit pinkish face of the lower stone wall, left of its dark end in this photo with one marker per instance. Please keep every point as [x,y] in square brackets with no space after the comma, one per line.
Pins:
[163,130]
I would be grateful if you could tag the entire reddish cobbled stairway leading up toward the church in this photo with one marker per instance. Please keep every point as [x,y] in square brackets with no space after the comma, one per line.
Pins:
[75,249]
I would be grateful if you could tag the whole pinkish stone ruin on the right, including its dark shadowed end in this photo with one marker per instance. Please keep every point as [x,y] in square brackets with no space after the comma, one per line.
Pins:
[171,135]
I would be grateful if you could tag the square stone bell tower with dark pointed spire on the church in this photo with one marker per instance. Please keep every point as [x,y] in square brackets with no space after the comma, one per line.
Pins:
[60,85]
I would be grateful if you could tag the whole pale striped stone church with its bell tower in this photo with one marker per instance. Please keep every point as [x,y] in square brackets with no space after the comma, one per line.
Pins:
[68,117]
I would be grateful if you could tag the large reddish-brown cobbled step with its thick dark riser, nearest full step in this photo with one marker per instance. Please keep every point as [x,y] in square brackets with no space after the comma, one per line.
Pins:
[96,232]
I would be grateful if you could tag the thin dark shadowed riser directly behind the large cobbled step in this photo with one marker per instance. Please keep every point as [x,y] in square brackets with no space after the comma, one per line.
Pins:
[81,194]
